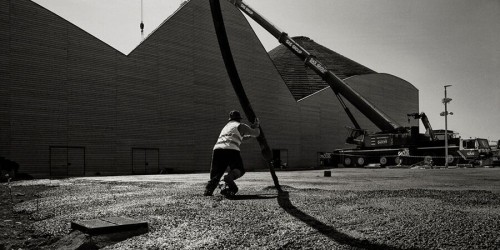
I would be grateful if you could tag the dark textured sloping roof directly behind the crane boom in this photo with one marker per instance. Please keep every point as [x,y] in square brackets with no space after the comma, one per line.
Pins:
[301,80]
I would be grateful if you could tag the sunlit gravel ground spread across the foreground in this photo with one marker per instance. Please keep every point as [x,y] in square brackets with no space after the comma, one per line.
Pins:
[353,209]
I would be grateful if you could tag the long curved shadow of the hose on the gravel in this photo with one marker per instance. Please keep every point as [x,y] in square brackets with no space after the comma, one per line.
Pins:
[328,231]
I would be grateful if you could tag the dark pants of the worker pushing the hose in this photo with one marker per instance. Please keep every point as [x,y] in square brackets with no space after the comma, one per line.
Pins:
[221,159]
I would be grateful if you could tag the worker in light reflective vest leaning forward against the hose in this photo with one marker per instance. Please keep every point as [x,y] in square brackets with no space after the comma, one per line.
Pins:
[226,152]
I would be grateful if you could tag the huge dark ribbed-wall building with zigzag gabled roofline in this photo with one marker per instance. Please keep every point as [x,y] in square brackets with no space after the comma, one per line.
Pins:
[71,105]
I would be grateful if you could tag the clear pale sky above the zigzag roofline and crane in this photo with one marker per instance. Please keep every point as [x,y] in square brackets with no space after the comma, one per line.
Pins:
[429,43]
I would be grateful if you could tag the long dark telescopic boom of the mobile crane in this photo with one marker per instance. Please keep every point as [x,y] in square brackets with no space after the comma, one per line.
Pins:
[381,120]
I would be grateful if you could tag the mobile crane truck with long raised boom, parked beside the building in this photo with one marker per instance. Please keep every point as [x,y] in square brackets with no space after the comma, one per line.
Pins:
[394,144]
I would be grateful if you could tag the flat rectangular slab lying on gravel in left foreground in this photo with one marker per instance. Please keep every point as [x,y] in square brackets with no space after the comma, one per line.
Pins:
[110,225]
